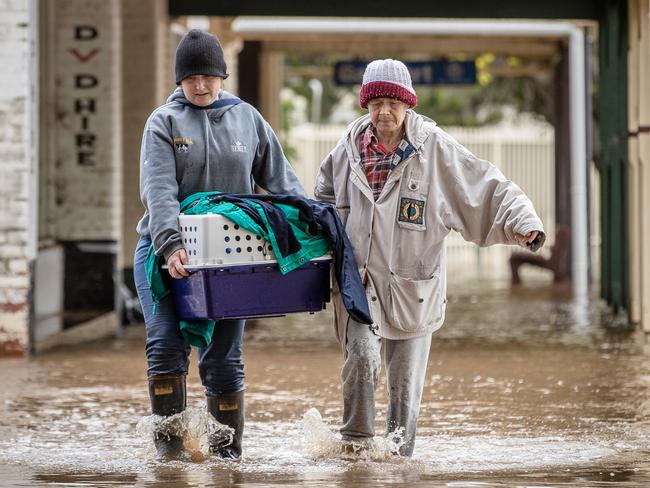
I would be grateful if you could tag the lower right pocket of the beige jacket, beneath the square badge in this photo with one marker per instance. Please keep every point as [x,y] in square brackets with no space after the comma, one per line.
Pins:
[414,303]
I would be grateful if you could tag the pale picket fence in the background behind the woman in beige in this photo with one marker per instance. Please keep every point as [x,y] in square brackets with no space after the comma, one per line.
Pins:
[524,154]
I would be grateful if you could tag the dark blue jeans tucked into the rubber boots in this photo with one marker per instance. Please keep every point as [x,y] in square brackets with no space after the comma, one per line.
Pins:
[221,366]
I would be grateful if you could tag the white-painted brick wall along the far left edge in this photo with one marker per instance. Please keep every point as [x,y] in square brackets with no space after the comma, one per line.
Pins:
[14,269]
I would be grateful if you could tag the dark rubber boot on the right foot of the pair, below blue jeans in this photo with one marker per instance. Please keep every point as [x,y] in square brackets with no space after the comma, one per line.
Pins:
[228,410]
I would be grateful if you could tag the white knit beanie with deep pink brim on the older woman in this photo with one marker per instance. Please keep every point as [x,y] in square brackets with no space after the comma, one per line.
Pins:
[387,78]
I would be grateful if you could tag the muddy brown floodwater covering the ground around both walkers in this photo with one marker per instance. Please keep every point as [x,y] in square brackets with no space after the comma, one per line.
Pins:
[525,387]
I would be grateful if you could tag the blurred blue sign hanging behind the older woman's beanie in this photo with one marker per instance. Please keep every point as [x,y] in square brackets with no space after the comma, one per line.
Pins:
[436,72]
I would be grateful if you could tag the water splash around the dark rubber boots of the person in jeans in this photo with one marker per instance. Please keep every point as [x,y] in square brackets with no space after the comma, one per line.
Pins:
[195,426]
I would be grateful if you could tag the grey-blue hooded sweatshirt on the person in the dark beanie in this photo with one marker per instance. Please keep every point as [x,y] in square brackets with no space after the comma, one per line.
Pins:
[186,150]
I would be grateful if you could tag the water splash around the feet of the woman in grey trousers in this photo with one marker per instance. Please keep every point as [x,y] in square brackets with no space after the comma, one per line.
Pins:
[321,442]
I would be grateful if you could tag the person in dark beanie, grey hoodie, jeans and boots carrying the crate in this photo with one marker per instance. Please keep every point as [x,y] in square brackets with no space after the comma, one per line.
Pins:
[202,139]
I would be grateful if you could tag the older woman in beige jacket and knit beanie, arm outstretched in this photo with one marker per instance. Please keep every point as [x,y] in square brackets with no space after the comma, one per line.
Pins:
[401,184]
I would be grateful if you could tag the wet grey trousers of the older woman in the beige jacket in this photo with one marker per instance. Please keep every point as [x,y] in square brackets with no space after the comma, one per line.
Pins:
[406,364]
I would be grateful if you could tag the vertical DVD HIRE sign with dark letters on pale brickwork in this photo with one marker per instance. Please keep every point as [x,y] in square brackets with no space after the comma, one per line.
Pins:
[87,113]
